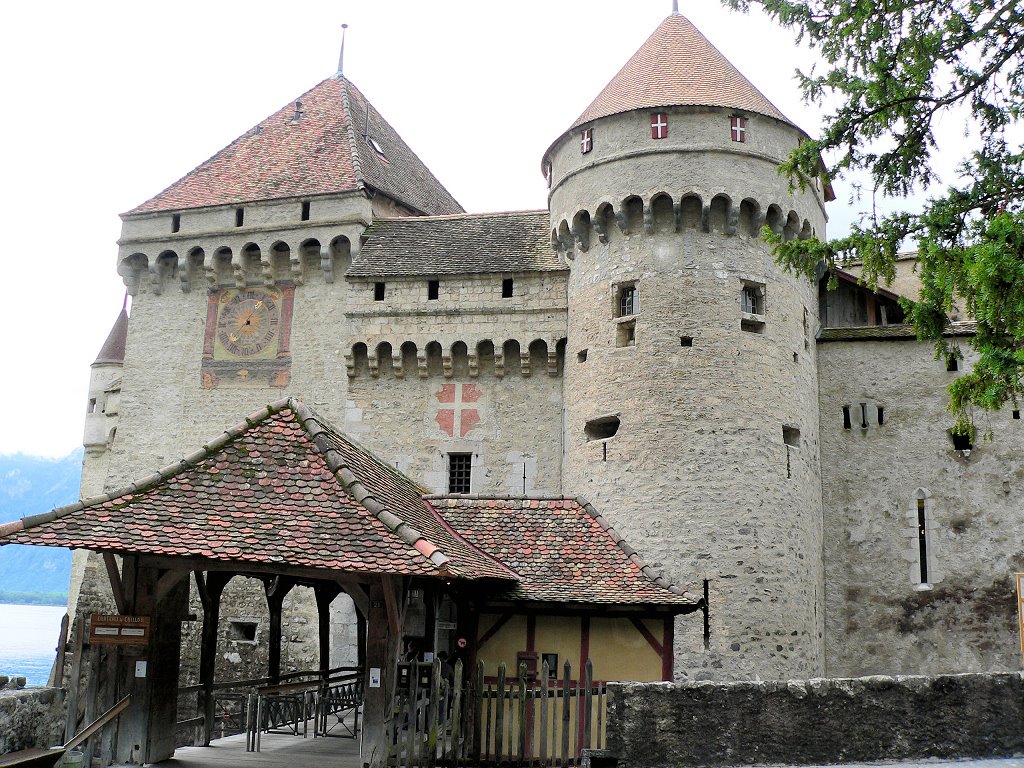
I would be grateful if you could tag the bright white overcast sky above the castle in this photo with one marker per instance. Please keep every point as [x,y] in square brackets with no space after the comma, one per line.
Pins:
[109,103]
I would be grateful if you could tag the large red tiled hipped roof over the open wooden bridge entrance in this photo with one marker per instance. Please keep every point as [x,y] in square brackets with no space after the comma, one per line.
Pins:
[283,489]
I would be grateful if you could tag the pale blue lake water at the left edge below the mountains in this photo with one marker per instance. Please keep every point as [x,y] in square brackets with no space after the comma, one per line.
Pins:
[29,641]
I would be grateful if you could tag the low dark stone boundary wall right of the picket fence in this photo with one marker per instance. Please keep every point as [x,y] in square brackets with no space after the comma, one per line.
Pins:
[816,721]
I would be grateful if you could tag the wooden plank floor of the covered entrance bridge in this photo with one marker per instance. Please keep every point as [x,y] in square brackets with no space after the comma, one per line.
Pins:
[277,751]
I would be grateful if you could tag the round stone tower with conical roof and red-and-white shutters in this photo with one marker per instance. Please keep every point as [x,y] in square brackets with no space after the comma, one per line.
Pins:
[691,389]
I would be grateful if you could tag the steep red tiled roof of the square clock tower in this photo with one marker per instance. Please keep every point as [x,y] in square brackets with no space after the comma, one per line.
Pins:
[326,151]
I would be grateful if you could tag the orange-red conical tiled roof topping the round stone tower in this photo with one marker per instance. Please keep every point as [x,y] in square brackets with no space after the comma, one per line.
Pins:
[678,66]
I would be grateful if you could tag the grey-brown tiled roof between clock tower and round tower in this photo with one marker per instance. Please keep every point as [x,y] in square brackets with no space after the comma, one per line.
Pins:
[465,244]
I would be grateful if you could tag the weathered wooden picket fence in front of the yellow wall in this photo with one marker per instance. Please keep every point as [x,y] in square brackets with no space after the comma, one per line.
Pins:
[440,720]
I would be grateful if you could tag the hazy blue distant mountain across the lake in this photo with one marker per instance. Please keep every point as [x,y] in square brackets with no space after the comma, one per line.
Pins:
[30,485]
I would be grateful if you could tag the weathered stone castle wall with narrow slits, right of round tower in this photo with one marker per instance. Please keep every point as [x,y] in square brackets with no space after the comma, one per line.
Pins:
[880,618]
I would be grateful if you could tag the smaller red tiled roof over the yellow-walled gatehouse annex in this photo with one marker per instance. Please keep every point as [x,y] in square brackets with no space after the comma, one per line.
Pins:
[563,550]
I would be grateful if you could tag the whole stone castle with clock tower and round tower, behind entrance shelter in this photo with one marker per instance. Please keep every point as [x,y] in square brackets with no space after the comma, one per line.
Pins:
[779,449]
